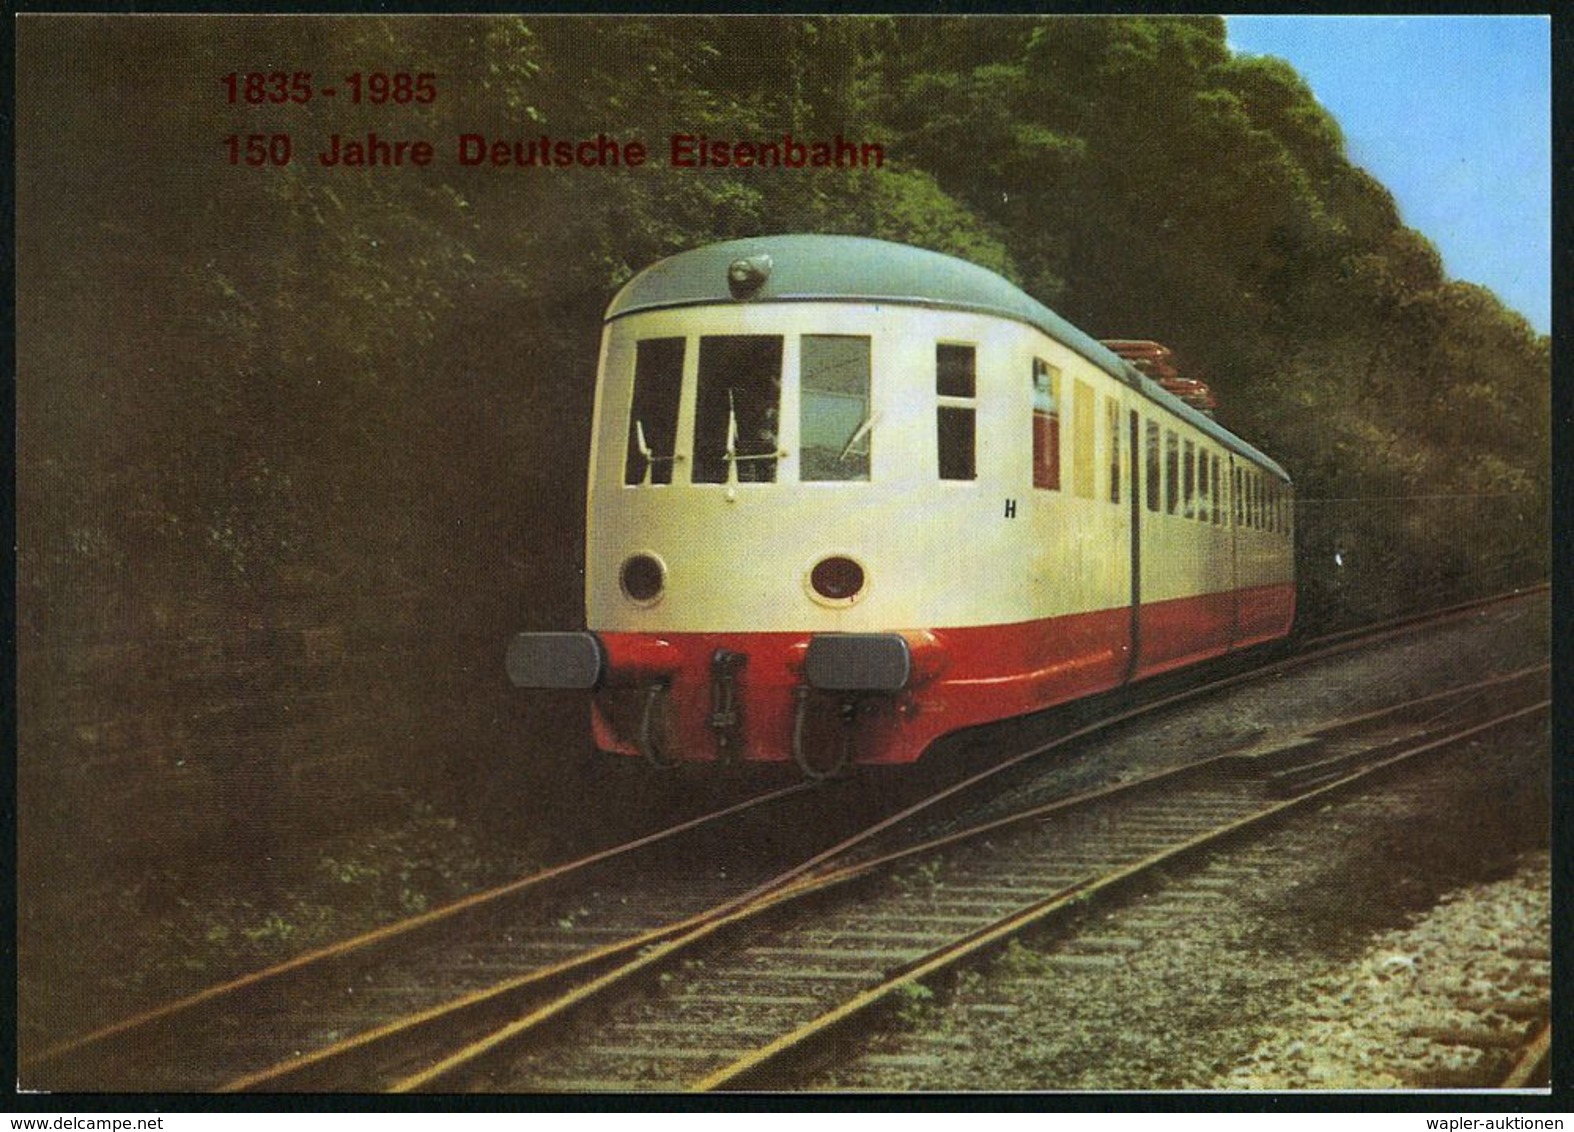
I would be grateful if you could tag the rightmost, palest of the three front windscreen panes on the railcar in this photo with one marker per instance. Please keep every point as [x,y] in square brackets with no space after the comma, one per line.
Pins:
[833,418]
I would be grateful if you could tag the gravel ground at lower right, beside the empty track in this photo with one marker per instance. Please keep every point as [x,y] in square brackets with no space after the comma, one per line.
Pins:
[1391,939]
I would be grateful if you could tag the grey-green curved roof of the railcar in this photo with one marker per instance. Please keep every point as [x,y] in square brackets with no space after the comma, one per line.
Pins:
[807,268]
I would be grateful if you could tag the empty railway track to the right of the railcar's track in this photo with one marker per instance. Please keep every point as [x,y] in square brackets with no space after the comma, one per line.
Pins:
[733,1004]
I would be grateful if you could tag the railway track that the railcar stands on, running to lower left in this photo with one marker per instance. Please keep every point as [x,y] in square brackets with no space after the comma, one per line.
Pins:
[385,1010]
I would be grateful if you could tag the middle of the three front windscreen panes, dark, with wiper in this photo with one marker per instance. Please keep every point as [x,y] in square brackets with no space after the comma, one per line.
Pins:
[737,409]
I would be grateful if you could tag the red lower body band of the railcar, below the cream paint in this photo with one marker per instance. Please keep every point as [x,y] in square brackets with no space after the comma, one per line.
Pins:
[970,676]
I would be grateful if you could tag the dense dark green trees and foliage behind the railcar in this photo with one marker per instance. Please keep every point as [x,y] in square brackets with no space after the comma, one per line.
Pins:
[298,449]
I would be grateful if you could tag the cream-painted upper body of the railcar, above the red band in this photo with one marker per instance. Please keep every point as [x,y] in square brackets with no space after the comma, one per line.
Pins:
[985,550]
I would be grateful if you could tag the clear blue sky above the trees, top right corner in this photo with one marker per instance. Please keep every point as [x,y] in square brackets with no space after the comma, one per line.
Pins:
[1454,114]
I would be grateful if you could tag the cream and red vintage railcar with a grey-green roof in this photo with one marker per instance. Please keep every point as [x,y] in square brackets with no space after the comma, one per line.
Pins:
[849,497]
